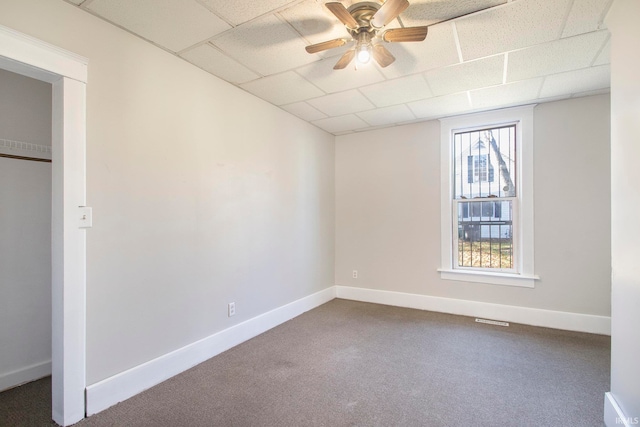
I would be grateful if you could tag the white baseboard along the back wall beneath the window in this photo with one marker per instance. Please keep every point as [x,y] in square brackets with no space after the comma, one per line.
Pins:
[507,313]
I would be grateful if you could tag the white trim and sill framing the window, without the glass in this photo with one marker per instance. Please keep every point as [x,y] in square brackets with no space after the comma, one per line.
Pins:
[524,149]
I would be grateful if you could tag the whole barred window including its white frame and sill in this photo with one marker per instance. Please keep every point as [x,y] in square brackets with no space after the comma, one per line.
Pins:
[487,198]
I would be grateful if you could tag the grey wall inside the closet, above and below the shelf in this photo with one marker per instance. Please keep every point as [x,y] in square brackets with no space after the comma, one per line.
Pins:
[25,233]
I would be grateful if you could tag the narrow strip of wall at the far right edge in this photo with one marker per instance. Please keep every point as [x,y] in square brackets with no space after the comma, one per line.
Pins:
[625,197]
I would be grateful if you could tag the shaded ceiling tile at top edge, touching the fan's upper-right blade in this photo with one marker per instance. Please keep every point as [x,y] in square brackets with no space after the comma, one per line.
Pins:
[429,12]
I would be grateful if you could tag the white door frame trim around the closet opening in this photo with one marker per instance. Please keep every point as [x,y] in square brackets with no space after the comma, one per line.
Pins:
[68,74]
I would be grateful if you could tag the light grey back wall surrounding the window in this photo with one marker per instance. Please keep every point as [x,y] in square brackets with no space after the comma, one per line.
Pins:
[388,211]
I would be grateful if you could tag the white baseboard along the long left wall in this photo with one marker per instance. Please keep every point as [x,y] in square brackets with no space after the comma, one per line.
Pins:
[124,385]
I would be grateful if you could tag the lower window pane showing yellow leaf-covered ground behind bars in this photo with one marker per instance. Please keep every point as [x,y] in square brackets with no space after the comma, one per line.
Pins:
[485,234]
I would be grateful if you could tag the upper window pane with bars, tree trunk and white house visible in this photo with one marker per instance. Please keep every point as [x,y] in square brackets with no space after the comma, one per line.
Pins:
[485,163]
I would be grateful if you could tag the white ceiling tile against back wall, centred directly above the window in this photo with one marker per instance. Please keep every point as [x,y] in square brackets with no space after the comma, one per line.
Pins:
[504,95]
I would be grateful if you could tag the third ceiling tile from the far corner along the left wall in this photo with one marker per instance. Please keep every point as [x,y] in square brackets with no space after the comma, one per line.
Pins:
[284,88]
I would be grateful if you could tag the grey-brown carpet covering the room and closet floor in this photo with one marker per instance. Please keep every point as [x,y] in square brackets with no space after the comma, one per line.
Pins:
[348,363]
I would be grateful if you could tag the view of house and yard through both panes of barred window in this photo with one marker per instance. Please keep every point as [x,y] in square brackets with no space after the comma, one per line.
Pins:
[484,197]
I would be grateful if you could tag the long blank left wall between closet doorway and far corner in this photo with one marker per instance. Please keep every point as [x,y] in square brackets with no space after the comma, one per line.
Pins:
[202,194]
